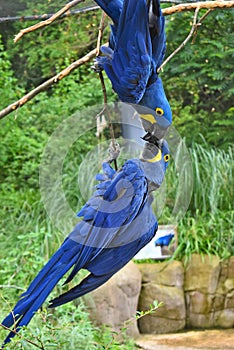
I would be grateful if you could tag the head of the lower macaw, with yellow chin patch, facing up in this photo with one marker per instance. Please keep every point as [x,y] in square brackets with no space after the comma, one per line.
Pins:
[155,159]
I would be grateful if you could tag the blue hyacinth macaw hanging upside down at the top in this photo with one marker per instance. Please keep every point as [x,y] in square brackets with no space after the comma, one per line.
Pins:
[136,50]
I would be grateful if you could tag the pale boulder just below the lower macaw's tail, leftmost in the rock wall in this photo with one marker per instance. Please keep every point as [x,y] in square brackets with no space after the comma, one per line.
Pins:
[116,301]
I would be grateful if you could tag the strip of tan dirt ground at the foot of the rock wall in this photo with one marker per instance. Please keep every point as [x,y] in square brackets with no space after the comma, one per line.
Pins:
[191,340]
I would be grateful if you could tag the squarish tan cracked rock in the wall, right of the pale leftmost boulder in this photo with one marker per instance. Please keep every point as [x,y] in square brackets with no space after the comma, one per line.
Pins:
[166,286]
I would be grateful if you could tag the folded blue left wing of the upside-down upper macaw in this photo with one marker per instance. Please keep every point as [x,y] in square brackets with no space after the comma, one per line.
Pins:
[129,66]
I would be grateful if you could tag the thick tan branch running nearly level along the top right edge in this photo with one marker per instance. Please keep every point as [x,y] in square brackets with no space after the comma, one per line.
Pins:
[202,5]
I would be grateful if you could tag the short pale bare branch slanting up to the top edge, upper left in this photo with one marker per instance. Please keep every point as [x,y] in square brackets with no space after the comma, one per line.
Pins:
[48,21]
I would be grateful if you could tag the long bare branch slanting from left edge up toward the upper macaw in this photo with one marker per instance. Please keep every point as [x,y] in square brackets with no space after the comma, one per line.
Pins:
[55,79]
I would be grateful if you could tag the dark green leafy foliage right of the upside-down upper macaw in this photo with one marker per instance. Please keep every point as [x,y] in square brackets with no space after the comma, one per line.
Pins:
[198,80]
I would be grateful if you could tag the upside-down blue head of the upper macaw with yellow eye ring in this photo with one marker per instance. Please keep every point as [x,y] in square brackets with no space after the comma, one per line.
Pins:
[154,110]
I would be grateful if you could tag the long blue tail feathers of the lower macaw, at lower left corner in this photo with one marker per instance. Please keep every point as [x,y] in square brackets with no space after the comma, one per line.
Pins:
[41,286]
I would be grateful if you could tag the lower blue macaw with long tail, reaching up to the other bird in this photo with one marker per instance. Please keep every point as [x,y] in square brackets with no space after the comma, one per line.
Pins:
[117,221]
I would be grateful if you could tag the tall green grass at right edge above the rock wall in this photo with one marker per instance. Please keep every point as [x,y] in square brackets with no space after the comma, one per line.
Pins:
[208,225]
